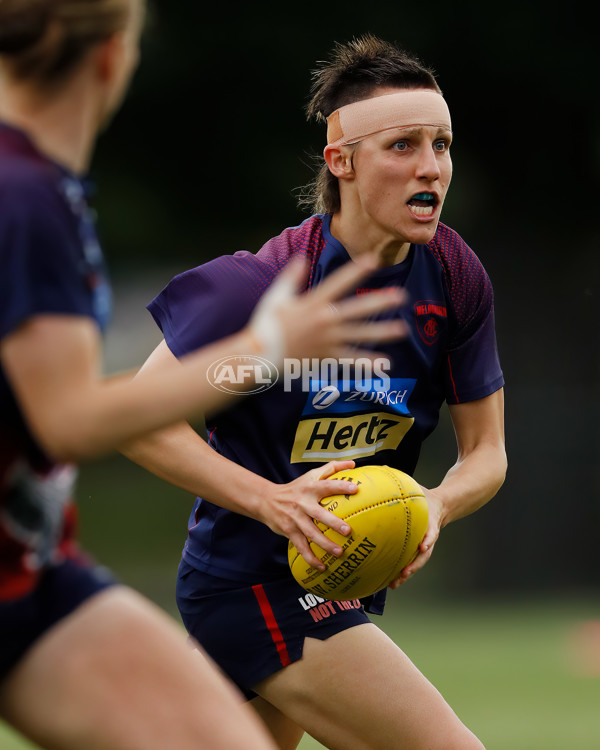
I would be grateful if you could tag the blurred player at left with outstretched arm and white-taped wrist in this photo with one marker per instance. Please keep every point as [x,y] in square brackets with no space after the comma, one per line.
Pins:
[86,663]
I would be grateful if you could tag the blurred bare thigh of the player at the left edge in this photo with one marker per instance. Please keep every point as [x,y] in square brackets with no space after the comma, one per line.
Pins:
[118,674]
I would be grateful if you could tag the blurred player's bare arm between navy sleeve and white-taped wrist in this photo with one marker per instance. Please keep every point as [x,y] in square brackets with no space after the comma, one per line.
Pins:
[52,363]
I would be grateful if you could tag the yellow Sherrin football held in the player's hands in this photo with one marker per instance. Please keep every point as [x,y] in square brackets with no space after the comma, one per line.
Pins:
[388,516]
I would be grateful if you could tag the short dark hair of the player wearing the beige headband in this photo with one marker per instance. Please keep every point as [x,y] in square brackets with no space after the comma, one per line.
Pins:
[352,73]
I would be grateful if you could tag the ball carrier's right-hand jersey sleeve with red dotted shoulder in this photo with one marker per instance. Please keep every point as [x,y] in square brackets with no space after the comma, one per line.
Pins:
[472,369]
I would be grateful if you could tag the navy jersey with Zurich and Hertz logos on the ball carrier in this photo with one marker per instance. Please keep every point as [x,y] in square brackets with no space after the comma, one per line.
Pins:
[449,356]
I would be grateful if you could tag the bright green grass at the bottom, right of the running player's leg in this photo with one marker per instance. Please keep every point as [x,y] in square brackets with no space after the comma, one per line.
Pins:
[504,667]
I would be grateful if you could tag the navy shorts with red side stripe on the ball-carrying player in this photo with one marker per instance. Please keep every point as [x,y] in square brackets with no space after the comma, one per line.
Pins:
[251,632]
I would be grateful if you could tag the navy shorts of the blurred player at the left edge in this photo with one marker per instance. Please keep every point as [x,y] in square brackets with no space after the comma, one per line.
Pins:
[61,589]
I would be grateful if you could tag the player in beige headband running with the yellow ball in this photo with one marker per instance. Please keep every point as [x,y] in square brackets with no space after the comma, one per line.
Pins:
[305,665]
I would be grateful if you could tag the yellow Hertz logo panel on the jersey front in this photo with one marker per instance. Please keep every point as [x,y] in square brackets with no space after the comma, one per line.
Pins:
[349,437]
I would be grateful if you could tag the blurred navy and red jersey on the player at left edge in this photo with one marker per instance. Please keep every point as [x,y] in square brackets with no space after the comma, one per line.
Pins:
[51,263]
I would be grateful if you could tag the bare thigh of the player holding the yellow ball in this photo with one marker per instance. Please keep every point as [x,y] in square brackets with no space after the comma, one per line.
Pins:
[358,689]
